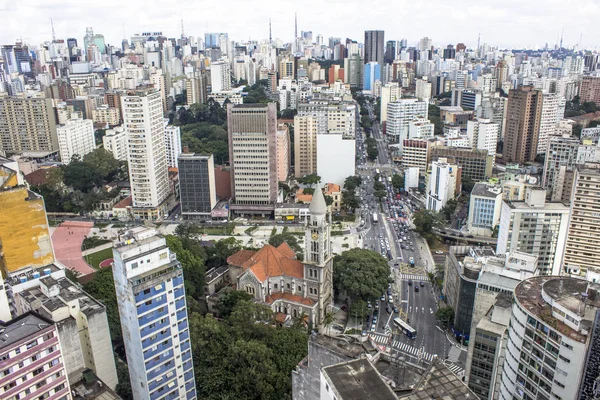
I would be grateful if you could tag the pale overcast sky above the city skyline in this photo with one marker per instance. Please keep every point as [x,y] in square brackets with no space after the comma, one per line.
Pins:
[506,23]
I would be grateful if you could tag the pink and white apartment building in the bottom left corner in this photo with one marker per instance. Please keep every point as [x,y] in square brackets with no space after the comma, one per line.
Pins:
[32,359]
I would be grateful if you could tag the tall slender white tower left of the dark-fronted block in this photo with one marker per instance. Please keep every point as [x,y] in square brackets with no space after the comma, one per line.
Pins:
[147,160]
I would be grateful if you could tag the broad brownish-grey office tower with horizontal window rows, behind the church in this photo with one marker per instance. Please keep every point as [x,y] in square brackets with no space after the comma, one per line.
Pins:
[252,130]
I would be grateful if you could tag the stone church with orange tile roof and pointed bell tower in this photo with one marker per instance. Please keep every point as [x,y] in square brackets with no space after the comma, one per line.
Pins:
[291,287]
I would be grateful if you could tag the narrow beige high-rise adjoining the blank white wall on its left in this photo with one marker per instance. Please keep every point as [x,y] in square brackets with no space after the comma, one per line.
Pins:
[305,145]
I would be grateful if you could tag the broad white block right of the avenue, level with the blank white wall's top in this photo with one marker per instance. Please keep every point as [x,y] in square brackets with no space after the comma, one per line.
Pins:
[400,113]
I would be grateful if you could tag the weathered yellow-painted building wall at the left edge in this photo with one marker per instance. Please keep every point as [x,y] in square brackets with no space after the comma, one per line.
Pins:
[24,234]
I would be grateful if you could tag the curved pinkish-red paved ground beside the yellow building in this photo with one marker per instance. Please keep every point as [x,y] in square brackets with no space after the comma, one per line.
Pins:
[67,240]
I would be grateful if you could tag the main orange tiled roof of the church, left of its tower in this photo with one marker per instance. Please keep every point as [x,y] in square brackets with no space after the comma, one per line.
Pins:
[270,261]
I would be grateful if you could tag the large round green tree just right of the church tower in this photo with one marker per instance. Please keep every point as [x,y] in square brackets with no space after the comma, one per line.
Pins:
[361,274]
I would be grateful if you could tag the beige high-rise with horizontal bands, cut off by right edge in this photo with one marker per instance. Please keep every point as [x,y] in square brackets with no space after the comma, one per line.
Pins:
[581,253]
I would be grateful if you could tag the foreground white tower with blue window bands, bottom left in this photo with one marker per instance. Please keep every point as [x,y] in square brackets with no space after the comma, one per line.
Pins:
[152,307]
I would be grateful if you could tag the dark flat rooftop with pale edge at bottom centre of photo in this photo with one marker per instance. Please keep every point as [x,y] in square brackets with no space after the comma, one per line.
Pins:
[358,380]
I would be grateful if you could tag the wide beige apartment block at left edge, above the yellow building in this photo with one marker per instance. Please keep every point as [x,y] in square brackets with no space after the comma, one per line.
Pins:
[27,124]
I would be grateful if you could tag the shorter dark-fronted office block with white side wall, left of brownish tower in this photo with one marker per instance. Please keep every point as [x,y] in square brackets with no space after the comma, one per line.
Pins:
[197,188]
